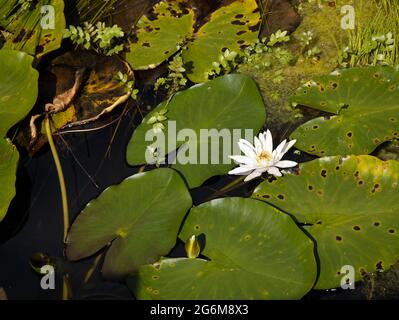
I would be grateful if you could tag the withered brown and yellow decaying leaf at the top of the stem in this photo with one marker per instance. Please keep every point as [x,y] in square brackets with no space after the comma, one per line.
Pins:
[99,93]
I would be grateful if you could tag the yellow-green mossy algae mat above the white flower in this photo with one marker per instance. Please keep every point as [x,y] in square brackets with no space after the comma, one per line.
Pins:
[280,71]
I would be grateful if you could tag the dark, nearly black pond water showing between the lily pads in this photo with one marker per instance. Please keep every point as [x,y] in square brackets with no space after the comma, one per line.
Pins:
[38,213]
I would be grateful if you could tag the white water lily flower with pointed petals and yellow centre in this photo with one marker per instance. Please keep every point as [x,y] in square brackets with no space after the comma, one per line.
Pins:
[261,157]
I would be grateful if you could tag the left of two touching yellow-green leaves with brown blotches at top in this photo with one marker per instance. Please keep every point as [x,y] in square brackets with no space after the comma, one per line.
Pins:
[160,33]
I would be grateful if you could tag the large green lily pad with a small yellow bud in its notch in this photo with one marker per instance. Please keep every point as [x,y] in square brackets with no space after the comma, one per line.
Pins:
[254,252]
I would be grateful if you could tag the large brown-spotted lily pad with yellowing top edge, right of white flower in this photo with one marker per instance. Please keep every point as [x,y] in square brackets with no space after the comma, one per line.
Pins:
[350,207]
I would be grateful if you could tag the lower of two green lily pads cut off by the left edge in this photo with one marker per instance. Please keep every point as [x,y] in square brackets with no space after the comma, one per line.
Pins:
[8,168]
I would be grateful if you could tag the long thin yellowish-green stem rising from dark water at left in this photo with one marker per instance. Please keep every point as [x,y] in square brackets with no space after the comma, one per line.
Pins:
[60,176]
